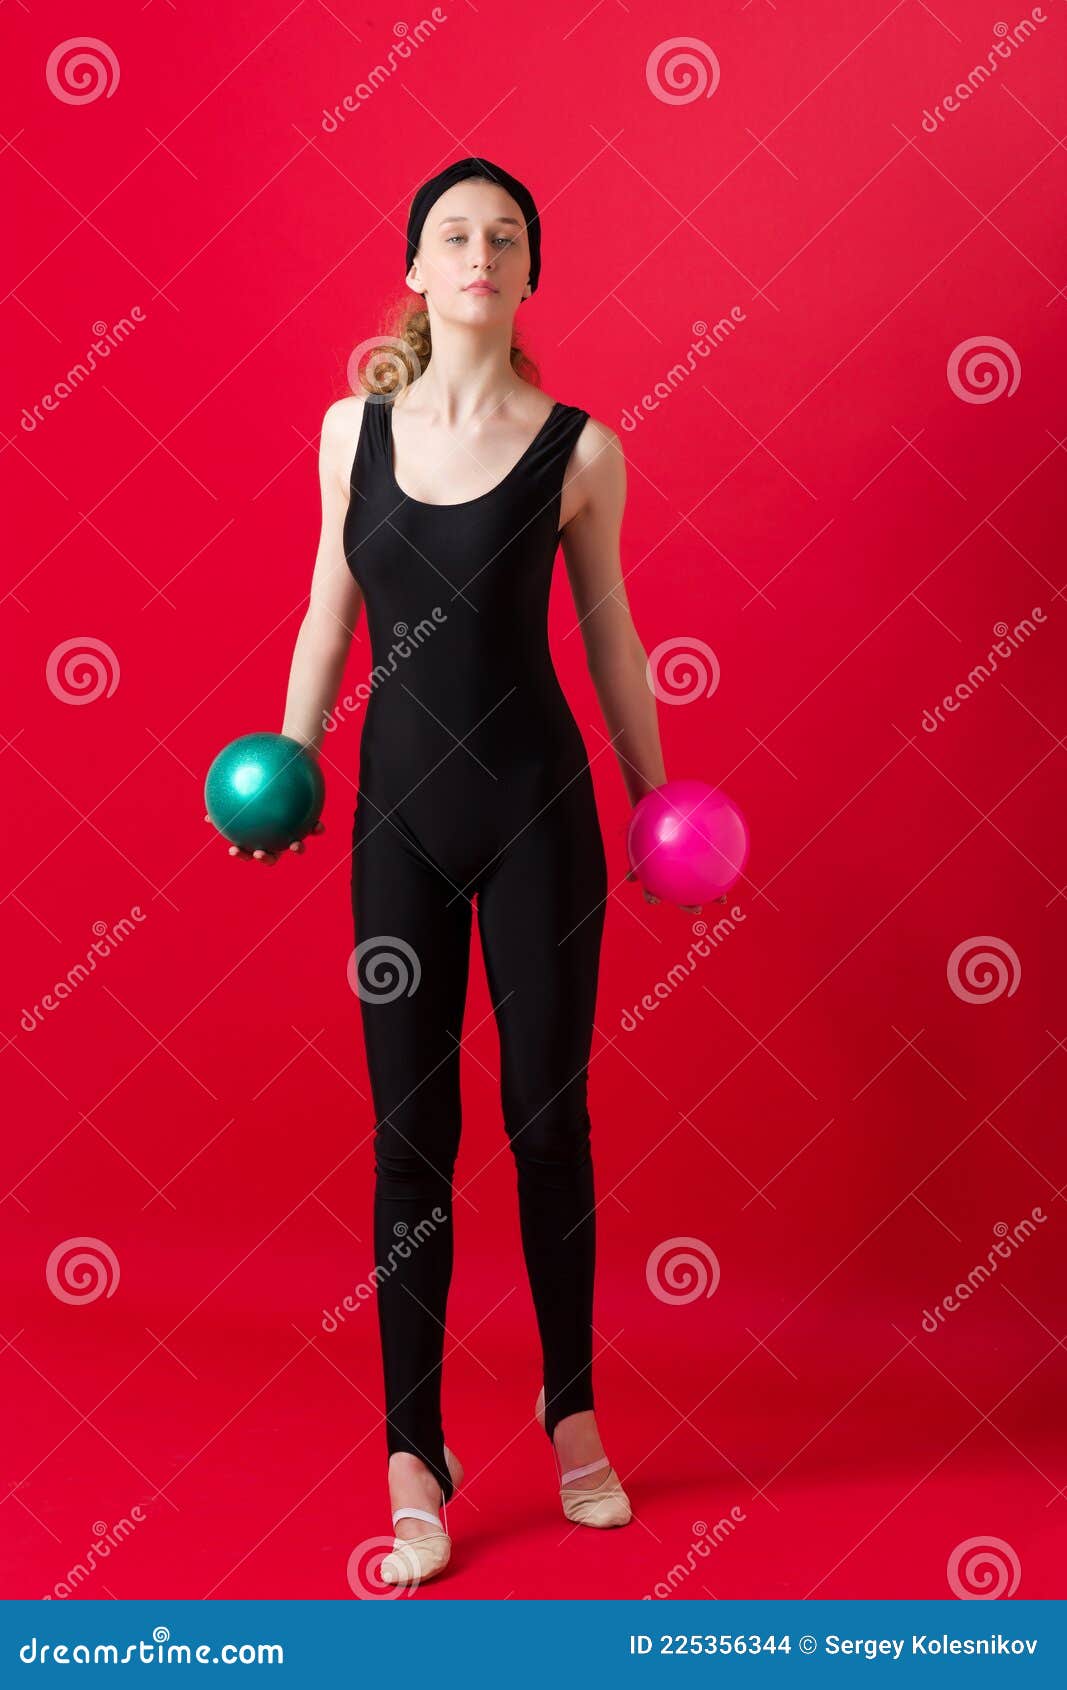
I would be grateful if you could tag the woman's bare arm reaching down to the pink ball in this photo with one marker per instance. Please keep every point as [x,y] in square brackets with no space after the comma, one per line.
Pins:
[613,648]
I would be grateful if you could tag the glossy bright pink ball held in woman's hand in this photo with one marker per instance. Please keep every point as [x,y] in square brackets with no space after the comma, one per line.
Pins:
[687,842]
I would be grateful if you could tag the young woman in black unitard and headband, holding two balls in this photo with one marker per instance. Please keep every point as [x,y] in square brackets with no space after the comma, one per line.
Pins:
[444,508]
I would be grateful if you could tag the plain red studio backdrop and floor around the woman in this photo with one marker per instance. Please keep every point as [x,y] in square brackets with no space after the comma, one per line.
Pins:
[814,503]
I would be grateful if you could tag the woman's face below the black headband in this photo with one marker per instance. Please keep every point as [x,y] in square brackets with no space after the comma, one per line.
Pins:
[474,234]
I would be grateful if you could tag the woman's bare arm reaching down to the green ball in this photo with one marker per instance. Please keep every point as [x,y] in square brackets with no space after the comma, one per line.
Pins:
[336,602]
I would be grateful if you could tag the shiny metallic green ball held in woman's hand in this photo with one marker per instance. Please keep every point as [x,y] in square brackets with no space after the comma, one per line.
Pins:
[265,792]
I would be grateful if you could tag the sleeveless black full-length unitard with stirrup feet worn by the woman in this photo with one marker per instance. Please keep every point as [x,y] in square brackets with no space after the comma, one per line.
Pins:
[474,782]
